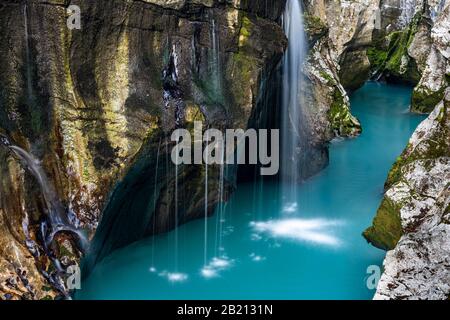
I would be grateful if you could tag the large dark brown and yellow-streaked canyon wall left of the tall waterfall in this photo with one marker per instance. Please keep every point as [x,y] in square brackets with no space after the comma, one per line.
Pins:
[96,107]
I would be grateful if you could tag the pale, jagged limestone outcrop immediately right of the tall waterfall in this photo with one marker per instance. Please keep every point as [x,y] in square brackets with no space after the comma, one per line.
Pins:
[345,32]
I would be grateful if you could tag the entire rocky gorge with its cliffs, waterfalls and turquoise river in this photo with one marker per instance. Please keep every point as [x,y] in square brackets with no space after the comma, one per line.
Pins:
[85,123]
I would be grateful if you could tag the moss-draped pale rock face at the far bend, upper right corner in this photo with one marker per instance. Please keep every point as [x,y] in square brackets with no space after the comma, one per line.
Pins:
[411,46]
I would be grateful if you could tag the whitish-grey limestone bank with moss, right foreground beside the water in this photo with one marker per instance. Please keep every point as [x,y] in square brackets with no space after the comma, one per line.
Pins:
[417,267]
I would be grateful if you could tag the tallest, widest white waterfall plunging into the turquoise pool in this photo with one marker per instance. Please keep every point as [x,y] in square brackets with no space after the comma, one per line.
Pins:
[292,102]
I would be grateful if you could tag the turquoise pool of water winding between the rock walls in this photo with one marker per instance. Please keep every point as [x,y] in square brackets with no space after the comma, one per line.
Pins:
[310,250]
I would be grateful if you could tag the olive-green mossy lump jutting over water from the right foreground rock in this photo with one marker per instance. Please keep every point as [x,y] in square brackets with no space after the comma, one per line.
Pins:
[386,230]
